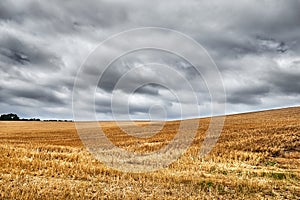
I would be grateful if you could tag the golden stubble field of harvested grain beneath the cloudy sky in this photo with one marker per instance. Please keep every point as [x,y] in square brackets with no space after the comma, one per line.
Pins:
[257,157]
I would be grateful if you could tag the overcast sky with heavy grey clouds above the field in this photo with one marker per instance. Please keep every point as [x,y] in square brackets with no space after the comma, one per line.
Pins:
[44,44]
